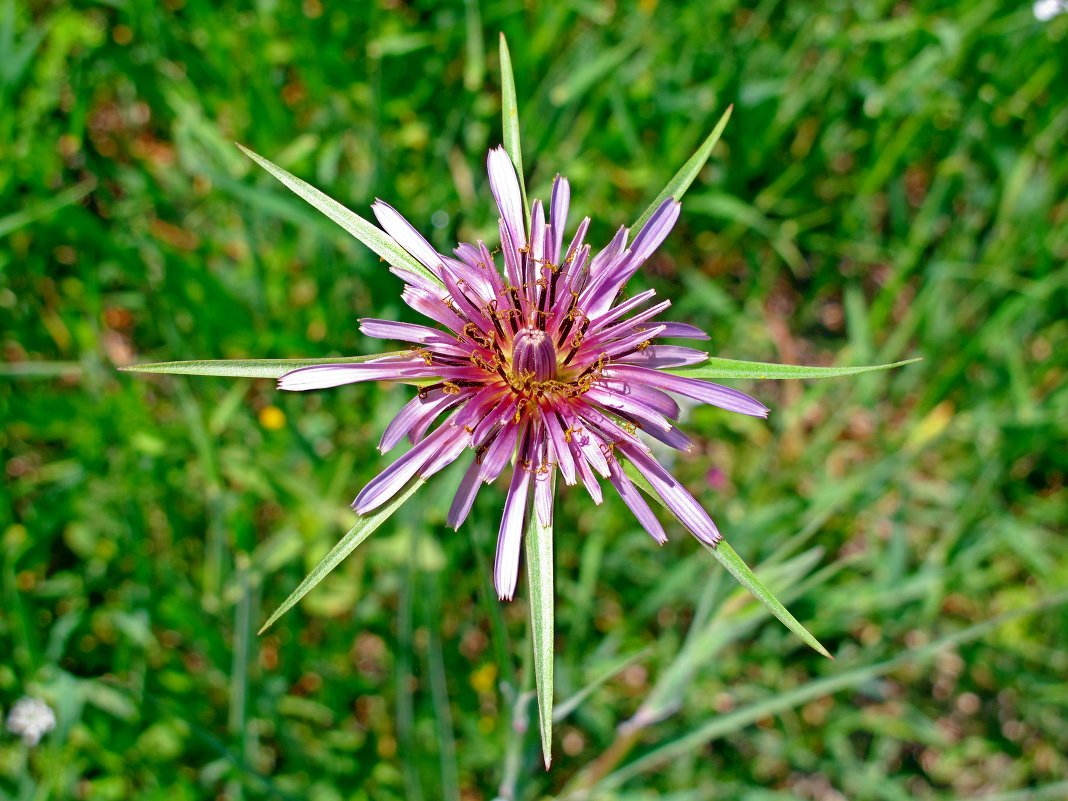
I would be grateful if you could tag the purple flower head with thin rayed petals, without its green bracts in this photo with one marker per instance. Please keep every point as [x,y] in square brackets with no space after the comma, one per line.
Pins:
[537,366]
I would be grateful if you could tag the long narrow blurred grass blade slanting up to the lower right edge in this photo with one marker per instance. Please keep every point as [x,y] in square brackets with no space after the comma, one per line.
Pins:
[748,715]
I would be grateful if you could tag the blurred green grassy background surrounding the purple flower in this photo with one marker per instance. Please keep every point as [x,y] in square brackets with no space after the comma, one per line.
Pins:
[893,184]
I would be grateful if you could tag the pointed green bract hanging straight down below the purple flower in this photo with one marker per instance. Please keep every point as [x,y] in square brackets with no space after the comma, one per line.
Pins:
[539,545]
